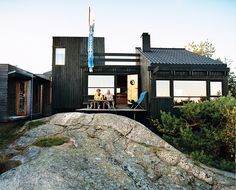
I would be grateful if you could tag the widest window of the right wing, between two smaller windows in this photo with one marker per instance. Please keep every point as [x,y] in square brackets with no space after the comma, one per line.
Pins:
[189,91]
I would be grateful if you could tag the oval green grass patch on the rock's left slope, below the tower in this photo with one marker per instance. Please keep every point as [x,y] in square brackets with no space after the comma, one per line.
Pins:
[51,141]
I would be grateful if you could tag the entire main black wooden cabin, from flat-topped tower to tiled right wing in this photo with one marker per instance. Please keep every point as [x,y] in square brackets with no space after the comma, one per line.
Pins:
[171,76]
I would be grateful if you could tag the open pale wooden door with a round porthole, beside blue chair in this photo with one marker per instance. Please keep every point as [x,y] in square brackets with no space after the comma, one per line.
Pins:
[132,86]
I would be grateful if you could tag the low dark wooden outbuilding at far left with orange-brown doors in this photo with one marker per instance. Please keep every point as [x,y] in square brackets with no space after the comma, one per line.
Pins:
[23,95]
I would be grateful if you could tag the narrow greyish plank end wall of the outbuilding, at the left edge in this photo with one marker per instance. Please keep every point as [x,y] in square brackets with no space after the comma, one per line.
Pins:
[3,91]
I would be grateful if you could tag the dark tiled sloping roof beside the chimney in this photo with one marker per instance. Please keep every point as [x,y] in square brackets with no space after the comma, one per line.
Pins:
[175,56]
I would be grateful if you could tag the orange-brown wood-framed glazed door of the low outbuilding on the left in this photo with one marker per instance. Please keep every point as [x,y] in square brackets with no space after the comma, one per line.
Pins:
[21,97]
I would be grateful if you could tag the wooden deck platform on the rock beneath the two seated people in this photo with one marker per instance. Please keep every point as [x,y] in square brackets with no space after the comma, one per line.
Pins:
[122,111]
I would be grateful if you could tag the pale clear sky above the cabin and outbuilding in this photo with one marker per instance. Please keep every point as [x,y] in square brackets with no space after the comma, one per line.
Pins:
[27,26]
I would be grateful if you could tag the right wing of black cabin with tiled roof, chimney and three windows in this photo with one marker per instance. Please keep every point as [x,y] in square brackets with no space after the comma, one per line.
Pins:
[174,76]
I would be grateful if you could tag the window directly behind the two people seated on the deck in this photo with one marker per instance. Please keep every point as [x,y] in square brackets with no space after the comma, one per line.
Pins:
[103,82]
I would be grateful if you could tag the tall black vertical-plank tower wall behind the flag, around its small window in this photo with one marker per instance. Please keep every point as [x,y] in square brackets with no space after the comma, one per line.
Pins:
[67,93]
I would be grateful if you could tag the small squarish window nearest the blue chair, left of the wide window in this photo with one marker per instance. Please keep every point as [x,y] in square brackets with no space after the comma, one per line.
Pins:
[162,88]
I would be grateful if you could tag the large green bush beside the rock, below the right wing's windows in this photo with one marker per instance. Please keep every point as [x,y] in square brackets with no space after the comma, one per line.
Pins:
[205,130]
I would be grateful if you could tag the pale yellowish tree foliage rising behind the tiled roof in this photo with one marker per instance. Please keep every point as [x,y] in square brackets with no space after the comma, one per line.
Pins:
[204,48]
